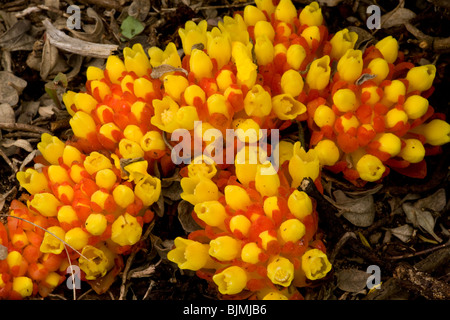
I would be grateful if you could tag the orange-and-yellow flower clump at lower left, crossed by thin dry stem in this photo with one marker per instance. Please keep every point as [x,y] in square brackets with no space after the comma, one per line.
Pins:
[82,208]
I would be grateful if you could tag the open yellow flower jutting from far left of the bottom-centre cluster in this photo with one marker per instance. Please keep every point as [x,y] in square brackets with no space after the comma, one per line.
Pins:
[190,254]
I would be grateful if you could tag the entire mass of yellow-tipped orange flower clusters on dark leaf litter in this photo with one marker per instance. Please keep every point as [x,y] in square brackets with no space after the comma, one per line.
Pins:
[260,70]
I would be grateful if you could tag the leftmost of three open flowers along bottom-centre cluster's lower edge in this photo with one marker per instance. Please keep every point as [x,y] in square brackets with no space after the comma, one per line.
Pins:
[232,280]
